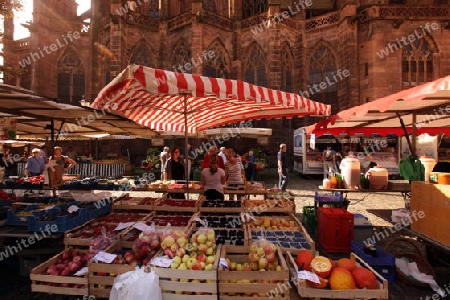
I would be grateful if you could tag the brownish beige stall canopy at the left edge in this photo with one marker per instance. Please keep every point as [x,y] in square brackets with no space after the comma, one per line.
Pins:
[35,113]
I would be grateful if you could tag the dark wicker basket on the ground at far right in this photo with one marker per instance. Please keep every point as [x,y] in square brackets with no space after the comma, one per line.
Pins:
[403,247]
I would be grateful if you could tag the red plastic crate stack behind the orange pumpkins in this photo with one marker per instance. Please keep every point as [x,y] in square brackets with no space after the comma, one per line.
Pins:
[335,229]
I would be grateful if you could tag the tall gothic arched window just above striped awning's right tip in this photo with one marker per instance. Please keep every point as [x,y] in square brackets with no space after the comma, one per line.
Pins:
[322,78]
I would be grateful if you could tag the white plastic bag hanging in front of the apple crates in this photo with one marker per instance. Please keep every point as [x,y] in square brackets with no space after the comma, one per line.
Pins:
[136,285]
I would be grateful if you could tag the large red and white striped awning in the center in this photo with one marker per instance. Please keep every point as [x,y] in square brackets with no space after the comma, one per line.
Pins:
[161,100]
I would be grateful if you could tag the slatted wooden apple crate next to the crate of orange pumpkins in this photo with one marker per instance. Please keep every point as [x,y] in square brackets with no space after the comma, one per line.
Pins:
[230,289]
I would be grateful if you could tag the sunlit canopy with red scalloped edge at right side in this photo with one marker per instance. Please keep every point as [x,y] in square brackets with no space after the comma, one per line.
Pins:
[426,107]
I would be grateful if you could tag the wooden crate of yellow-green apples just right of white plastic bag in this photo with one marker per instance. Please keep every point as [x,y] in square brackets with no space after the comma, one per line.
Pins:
[171,286]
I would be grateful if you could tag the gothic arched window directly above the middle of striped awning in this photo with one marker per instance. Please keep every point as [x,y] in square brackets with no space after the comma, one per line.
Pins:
[219,65]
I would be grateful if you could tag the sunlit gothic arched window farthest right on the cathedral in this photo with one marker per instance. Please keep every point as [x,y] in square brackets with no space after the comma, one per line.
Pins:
[417,63]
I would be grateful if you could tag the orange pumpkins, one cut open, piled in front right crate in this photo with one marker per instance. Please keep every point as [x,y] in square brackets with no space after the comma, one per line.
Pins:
[342,274]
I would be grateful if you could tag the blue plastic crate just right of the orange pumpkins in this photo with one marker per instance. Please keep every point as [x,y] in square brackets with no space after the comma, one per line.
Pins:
[384,263]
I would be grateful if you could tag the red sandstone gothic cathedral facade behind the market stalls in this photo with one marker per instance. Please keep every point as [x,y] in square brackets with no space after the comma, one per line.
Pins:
[340,52]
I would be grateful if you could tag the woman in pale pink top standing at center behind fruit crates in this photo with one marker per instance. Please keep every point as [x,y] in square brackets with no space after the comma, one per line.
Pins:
[213,179]
